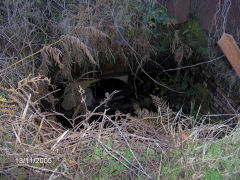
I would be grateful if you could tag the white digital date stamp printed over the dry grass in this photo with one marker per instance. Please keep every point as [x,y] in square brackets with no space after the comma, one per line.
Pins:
[31,160]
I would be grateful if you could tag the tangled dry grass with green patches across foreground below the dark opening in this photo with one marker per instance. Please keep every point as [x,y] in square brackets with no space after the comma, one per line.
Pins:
[34,145]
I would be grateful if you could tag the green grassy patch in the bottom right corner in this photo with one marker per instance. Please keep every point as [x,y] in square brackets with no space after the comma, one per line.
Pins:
[217,159]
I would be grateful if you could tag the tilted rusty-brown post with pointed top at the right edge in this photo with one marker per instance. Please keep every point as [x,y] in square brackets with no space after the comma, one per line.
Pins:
[231,50]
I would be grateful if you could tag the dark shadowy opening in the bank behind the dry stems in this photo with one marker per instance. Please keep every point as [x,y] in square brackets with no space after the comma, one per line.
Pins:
[137,89]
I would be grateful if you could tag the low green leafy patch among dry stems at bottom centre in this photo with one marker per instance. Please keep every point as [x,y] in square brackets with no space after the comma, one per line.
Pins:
[115,167]
